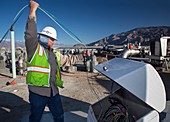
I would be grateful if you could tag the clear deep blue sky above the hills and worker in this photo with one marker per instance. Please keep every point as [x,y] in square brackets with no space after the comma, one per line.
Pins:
[90,20]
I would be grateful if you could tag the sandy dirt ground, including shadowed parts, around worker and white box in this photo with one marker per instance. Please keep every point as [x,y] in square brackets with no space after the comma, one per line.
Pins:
[81,89]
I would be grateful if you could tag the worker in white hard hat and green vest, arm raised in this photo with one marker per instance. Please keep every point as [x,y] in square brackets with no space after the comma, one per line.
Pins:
[43,69]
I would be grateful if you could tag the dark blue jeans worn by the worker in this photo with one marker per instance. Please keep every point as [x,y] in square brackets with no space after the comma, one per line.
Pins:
[38,103]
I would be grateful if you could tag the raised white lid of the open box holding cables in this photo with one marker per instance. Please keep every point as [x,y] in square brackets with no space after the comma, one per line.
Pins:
[139,78]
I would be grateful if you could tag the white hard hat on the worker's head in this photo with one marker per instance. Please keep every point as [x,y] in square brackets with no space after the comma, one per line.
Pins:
[50,32]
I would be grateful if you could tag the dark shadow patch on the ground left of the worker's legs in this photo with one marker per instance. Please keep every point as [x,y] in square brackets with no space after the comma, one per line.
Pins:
[12,107]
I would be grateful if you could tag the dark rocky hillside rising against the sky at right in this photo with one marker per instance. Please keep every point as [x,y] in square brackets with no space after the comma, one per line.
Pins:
[142,35]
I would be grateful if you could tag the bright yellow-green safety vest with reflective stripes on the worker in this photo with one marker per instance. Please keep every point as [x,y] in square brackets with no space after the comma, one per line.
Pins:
[38,69]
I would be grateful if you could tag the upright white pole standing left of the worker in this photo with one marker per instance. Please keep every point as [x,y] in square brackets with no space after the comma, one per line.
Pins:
[13,52]
